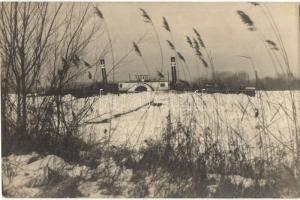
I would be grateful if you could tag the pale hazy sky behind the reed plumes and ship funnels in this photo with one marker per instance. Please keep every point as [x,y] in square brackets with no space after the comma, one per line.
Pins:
[221,29]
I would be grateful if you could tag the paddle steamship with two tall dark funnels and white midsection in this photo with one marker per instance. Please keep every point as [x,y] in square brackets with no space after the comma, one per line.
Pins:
[142,83]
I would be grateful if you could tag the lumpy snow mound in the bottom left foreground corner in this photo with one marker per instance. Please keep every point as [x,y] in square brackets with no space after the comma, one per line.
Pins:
[19,174]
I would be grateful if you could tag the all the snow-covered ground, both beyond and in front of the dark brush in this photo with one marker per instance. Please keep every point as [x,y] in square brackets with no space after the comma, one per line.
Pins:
[138,117]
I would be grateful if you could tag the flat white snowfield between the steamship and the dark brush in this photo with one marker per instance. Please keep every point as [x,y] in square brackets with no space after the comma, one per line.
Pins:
[135,119]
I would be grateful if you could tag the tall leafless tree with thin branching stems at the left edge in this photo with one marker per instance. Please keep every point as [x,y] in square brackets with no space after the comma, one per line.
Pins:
[43,45]
